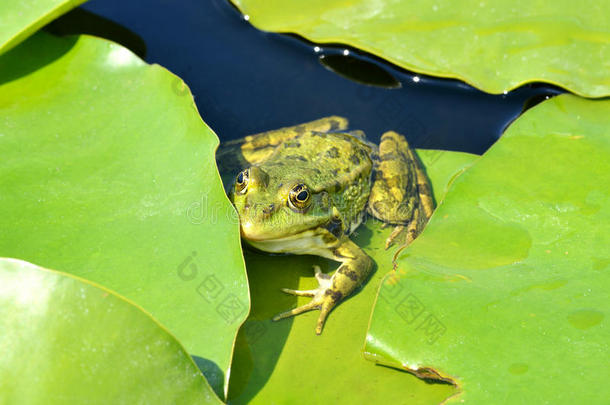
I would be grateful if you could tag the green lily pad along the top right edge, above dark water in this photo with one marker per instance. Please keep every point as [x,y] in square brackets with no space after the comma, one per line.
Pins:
[495,46]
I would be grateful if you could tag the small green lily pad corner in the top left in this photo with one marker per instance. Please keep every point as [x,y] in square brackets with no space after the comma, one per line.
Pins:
[20,19]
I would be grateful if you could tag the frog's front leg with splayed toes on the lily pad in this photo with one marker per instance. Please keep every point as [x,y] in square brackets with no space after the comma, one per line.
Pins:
[354,270]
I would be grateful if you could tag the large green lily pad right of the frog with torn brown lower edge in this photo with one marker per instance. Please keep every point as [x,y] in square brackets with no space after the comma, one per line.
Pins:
[506,291]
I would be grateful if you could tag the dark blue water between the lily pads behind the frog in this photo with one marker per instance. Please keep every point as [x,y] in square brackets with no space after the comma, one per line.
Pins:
[247,81]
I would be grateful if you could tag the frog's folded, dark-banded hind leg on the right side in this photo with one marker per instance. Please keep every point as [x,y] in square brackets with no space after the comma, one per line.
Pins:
[401,193]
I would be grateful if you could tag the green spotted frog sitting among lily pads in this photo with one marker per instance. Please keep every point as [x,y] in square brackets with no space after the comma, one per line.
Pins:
[305,189]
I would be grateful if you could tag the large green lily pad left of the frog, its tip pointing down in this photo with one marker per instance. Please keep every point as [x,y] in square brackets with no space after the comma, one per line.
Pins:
[108,173]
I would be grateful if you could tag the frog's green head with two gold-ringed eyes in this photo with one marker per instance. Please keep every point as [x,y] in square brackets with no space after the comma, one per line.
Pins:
[274,204]
